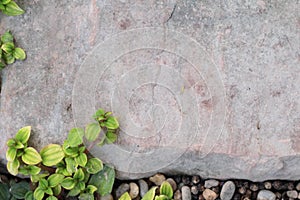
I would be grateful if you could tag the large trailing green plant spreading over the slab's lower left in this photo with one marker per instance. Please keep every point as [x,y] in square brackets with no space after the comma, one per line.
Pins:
[69,167]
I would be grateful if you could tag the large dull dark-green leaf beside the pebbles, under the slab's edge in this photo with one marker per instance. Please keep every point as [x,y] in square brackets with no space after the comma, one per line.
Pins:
[103,180]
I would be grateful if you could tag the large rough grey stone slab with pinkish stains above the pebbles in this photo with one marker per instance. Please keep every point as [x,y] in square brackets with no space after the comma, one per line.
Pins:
[247,127]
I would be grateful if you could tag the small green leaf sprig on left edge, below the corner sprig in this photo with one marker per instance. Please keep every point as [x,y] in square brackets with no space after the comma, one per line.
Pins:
[9,53]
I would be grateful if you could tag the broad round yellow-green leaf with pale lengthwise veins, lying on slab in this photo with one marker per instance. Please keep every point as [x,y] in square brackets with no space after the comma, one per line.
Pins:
[52,154]
